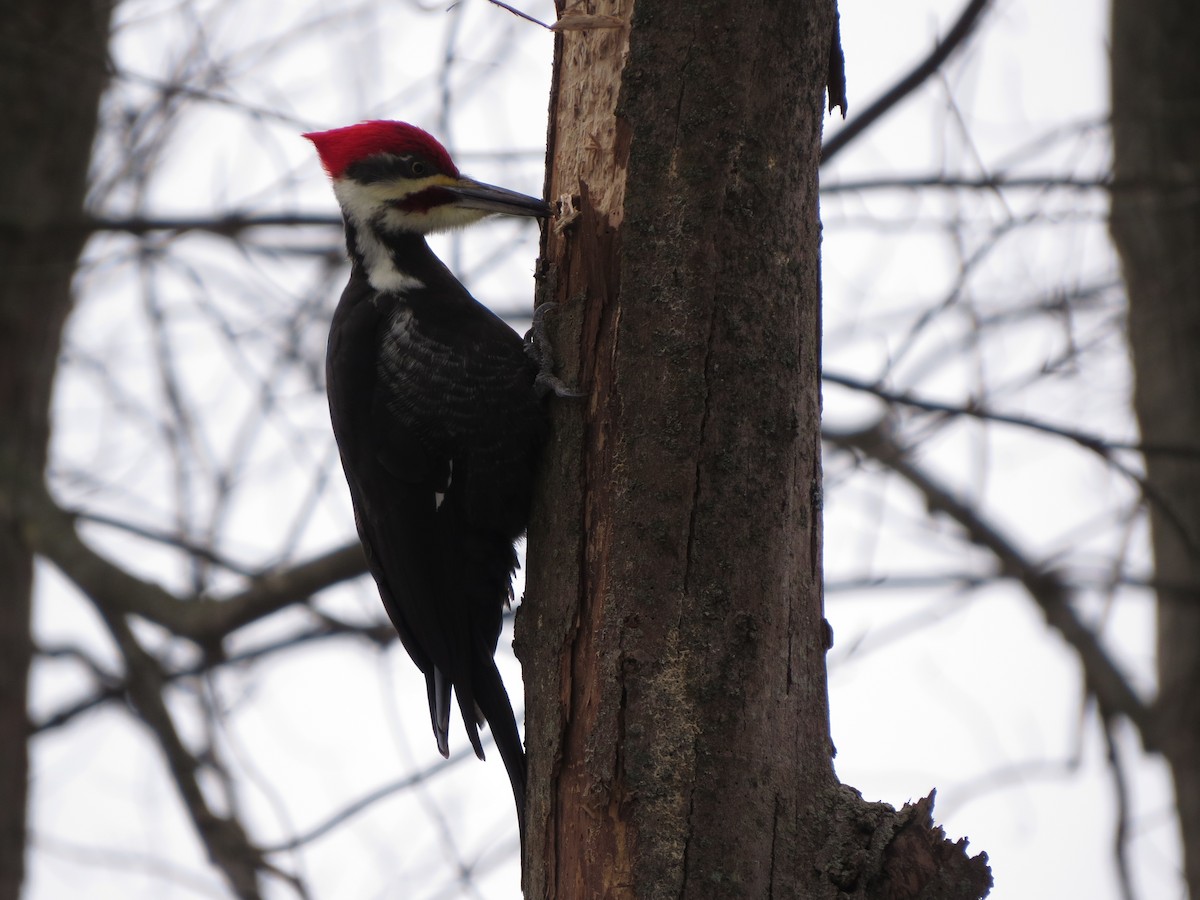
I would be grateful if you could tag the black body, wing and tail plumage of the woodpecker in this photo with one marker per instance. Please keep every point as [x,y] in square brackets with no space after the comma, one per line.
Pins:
[439,425]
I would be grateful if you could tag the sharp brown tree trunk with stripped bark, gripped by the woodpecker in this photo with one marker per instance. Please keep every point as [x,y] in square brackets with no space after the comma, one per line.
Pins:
[674,638]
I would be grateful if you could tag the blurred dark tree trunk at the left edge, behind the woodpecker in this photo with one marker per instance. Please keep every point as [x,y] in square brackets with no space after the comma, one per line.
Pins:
[53,68]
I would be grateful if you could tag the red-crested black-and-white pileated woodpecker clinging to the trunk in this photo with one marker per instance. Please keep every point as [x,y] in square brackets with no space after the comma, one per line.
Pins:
[436,410]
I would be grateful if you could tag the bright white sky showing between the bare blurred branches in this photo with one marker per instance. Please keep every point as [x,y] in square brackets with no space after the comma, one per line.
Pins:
[932,687]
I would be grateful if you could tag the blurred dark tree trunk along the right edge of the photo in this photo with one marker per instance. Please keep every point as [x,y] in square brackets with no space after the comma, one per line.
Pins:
[1156,225]
